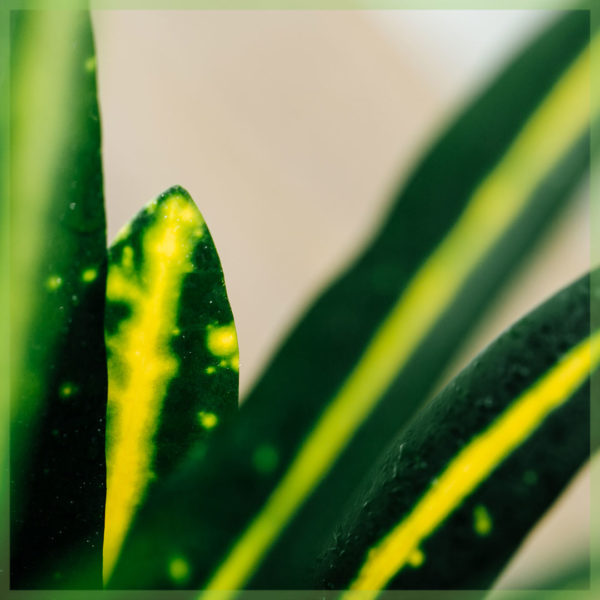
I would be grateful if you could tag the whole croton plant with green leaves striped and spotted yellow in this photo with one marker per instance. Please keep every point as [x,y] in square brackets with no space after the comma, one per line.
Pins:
[131,464]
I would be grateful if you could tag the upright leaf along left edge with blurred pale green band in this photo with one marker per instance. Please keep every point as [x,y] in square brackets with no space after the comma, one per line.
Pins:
[58,248]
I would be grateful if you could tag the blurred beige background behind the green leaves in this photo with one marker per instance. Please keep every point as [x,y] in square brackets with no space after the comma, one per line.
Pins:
[291,130]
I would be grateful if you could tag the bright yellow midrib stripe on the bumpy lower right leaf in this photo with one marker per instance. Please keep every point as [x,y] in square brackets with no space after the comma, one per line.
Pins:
[473,464]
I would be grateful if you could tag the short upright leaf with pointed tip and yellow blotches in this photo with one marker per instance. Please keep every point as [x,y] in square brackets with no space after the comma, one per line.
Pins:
[172,353]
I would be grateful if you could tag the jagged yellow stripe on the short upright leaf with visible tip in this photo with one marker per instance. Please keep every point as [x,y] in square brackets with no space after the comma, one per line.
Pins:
[141,364]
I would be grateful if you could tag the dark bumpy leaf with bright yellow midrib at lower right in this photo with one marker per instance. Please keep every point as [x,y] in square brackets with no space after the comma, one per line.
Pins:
[462,486]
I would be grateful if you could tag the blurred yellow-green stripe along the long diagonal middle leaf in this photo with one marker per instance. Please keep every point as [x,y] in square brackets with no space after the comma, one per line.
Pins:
[551,131]
